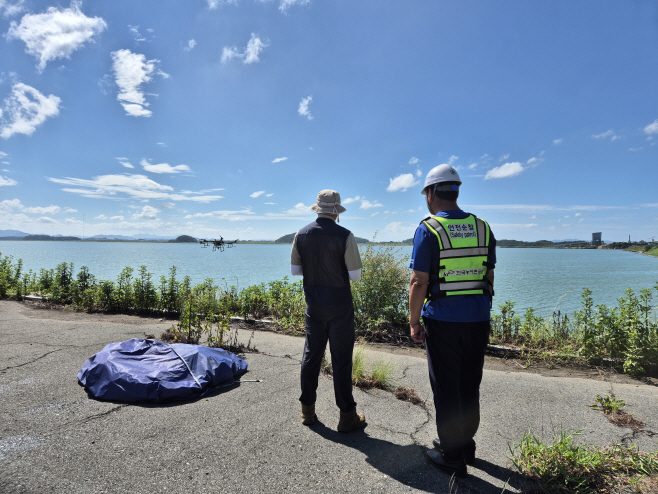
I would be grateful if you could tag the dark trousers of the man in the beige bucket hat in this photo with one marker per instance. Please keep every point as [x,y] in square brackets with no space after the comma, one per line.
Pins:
[336,325]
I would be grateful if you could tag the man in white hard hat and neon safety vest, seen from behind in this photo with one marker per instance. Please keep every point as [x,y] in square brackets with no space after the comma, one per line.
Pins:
[451,288]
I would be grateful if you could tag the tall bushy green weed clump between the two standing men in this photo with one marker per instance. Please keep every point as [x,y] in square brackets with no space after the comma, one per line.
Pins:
[381,294]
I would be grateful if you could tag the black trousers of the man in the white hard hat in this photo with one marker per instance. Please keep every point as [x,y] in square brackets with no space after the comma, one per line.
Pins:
[455,358]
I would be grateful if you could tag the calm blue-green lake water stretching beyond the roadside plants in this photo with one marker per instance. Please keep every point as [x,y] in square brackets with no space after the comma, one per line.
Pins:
[539,278]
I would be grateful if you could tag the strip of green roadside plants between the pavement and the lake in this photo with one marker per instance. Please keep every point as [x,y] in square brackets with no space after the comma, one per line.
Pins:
[623,337]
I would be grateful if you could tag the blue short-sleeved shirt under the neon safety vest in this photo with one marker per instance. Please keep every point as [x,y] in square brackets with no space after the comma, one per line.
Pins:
[425,258]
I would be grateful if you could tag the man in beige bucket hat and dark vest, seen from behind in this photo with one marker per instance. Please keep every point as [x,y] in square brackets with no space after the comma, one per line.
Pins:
[326,255]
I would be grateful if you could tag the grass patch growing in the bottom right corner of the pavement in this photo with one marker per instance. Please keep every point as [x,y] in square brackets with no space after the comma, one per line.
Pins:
[565,467]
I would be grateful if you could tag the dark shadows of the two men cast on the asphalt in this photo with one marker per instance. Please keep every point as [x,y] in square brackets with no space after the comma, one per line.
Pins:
[408,465]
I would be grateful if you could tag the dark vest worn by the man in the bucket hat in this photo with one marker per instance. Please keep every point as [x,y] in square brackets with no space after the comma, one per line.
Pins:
[321,245]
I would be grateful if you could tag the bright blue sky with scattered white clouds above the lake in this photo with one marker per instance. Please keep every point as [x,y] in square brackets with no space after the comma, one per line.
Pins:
[218,117]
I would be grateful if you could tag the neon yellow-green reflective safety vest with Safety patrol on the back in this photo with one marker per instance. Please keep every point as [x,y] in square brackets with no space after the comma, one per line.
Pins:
[463,255]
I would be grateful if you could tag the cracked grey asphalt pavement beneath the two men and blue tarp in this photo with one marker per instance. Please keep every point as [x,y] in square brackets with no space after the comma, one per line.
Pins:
[249,438]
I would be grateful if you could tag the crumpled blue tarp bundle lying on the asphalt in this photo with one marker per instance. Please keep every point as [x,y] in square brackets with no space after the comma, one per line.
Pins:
[145,370]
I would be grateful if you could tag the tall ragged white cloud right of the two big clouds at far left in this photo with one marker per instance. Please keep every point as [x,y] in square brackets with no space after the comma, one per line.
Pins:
[131,70]
